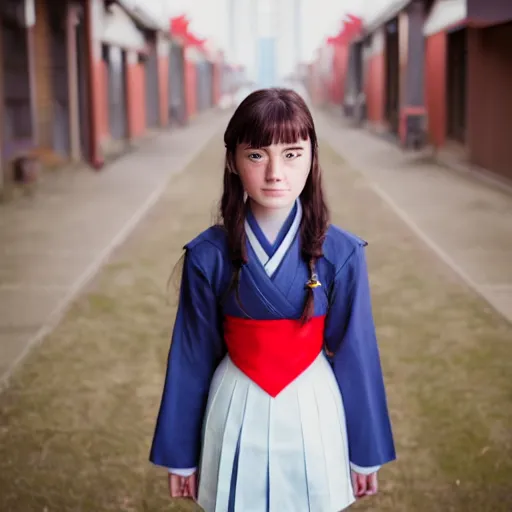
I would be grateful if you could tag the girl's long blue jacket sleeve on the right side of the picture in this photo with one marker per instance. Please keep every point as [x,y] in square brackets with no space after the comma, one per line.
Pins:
[350,336]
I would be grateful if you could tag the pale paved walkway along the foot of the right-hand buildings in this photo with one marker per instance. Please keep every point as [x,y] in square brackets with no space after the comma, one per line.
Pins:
[466,221]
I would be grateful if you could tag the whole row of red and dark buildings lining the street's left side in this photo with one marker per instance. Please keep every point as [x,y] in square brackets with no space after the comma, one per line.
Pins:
[82,80]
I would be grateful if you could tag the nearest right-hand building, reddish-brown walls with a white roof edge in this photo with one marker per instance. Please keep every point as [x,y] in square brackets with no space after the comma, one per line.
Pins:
[468,72]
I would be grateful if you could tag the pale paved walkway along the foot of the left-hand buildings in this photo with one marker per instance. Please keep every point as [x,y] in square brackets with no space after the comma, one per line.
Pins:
[55,241]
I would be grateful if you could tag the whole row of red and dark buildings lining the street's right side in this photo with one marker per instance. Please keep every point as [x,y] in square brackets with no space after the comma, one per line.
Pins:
[434,72]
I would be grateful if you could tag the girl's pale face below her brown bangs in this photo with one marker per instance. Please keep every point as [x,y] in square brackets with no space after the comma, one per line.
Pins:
[274,176]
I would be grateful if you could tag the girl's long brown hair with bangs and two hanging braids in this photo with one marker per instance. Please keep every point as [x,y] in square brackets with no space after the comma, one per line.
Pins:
[265,117]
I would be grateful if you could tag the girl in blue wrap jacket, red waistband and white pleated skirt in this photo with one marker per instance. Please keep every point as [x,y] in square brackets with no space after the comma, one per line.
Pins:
[274,387]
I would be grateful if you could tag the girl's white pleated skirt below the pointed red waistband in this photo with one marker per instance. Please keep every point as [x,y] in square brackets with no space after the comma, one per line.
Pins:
[283,454]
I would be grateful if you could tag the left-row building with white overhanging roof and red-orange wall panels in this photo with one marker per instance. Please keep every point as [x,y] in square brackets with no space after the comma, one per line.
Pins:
[131,62]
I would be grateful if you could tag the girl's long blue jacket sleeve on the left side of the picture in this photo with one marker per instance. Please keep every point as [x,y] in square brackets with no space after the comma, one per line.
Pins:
[197,347]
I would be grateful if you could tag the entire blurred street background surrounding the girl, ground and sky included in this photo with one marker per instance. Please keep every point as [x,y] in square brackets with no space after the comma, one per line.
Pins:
[111,121]
